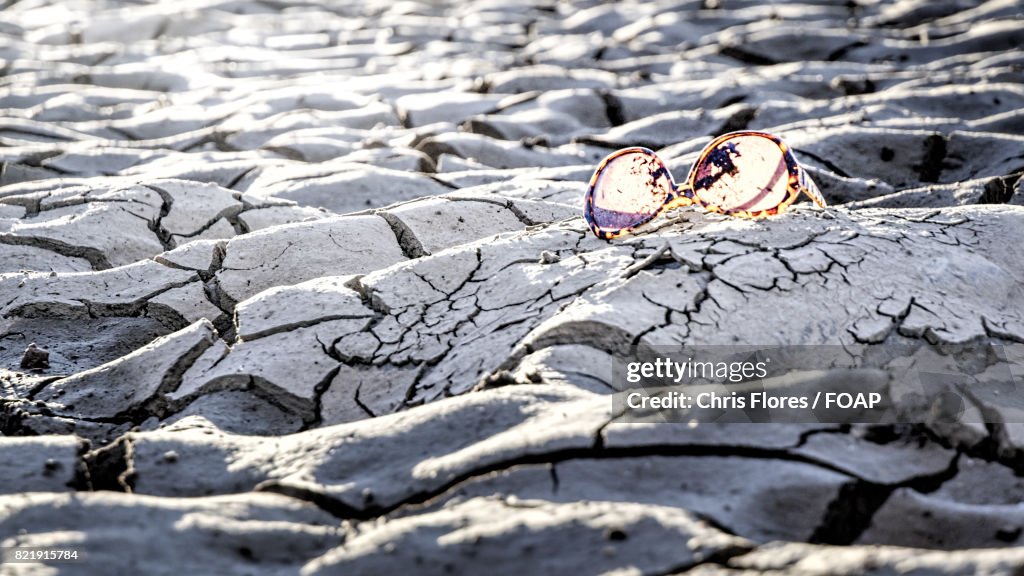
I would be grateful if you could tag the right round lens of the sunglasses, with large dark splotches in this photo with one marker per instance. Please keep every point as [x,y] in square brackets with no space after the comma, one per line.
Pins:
[743,174]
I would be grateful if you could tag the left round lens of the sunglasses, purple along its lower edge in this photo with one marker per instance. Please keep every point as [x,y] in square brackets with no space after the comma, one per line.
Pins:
[629,190]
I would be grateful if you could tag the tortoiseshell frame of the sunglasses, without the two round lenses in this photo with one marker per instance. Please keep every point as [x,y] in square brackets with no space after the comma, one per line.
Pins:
[685,195]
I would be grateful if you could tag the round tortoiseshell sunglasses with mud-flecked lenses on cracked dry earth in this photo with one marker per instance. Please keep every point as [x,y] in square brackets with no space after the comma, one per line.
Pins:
[746,175]
